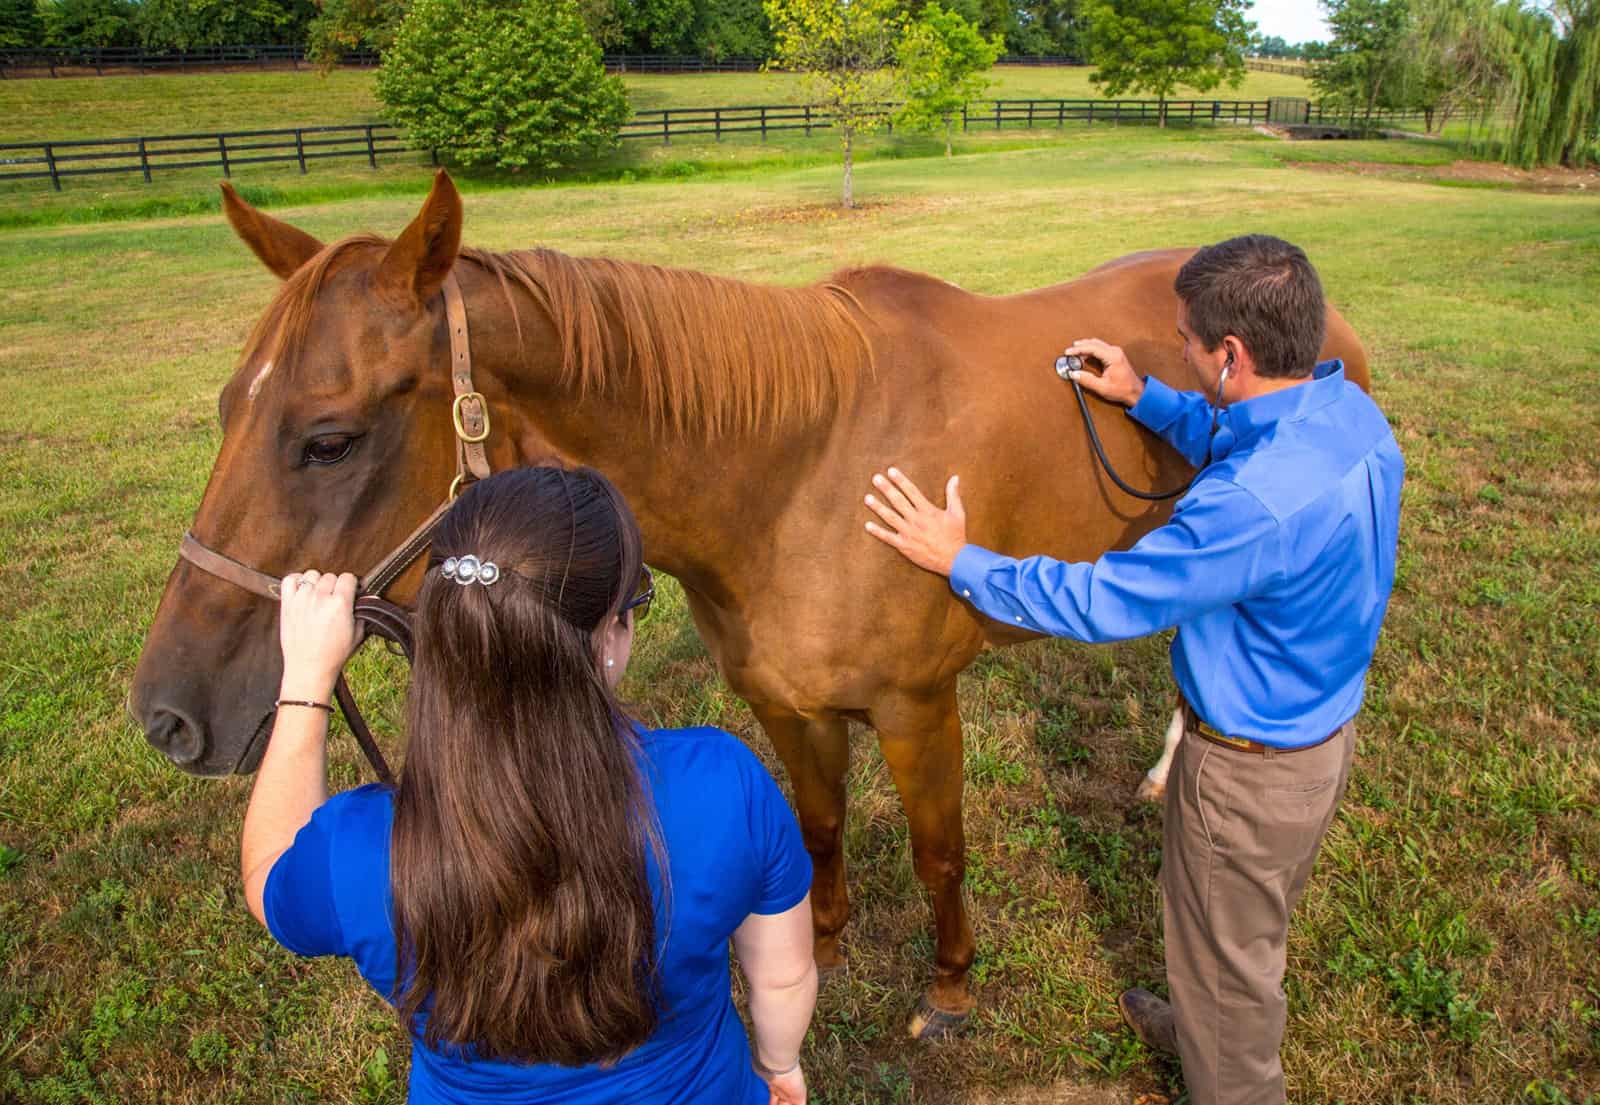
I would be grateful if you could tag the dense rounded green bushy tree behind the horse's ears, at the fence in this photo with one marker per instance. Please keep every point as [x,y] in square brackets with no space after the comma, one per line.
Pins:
[513,84]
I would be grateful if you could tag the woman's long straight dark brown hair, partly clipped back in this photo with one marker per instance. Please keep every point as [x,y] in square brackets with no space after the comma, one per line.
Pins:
[524,917]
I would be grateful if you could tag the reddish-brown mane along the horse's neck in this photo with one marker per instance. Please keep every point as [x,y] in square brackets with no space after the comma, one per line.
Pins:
[710,356]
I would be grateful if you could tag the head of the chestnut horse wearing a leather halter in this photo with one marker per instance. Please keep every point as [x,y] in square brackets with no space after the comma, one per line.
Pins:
[337,442]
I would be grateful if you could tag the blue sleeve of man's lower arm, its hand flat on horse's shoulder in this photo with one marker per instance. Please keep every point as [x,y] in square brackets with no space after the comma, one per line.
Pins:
[1220,548]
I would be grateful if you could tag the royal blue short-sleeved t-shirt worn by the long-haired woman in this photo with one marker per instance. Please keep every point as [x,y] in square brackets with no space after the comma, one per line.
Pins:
[734,848]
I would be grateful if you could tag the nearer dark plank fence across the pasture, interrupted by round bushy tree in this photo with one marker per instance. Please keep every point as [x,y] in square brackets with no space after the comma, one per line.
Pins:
[303,145]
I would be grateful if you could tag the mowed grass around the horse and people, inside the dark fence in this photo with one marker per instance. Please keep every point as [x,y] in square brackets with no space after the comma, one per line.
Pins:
[1446,951]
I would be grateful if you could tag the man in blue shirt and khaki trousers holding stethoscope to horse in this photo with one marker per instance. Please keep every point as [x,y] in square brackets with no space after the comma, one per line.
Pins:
[1276,568]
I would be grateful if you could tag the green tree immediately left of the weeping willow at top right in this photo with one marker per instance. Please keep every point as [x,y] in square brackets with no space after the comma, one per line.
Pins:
[1369,60]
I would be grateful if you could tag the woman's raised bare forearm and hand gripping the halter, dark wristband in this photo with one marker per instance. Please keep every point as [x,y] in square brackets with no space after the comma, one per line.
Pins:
[318,632]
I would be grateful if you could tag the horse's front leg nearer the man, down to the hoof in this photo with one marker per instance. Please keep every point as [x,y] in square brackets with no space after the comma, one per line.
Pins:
[922,744]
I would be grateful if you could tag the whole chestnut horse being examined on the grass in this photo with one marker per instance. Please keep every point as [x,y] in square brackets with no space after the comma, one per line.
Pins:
[742,423]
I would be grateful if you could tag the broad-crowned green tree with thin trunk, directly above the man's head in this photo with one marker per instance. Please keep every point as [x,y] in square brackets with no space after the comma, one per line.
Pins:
[1158,46]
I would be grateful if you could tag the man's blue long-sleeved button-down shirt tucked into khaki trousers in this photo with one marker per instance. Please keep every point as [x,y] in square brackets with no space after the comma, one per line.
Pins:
[1276,565]
